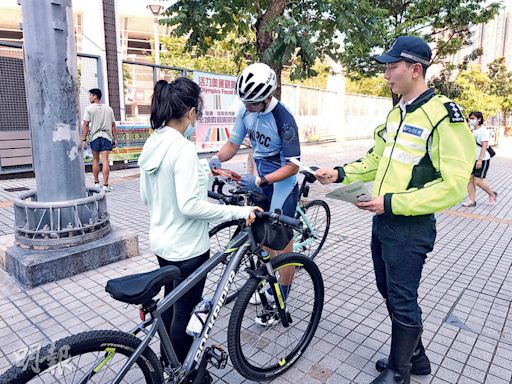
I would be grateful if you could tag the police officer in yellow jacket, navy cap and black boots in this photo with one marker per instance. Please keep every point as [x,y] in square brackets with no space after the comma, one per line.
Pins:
[420,164]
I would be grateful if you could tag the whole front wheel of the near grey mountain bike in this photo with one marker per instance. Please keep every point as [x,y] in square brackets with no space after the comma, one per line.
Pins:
[262,351]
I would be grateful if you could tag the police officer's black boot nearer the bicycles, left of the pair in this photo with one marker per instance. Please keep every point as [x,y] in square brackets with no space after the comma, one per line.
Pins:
[404,339]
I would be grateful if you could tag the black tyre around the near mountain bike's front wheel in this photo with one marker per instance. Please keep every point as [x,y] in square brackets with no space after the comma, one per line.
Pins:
[239,360]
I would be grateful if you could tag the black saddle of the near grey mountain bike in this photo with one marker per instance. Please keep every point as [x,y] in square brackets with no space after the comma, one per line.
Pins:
[141,288]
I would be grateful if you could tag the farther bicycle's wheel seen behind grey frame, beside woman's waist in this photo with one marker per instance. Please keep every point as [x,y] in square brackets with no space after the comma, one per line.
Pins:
[224,232]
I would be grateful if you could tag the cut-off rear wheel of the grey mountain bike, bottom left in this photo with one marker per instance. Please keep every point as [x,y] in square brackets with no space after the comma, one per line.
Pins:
[89,357]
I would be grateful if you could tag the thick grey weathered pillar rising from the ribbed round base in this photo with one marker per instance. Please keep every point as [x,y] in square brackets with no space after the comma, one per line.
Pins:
[52,91]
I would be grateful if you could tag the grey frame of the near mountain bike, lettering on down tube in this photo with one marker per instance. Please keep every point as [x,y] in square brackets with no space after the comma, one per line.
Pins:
[238,248]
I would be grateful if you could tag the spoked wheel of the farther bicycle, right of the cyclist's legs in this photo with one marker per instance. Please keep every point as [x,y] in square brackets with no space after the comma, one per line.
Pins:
[318,216]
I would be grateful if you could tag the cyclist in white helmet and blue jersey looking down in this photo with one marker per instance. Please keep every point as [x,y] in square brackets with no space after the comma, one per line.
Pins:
[274,137]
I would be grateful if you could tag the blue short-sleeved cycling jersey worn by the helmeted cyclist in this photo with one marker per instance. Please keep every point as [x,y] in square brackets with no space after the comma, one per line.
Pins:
[274,138]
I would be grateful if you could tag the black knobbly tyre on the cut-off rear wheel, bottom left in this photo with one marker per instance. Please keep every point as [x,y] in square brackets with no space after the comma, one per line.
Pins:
[87,342]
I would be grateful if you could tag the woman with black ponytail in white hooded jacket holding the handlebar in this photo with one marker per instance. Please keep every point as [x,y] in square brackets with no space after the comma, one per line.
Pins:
[174,186]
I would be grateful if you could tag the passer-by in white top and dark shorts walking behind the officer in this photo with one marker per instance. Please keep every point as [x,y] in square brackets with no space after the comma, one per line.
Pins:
[483,159]
